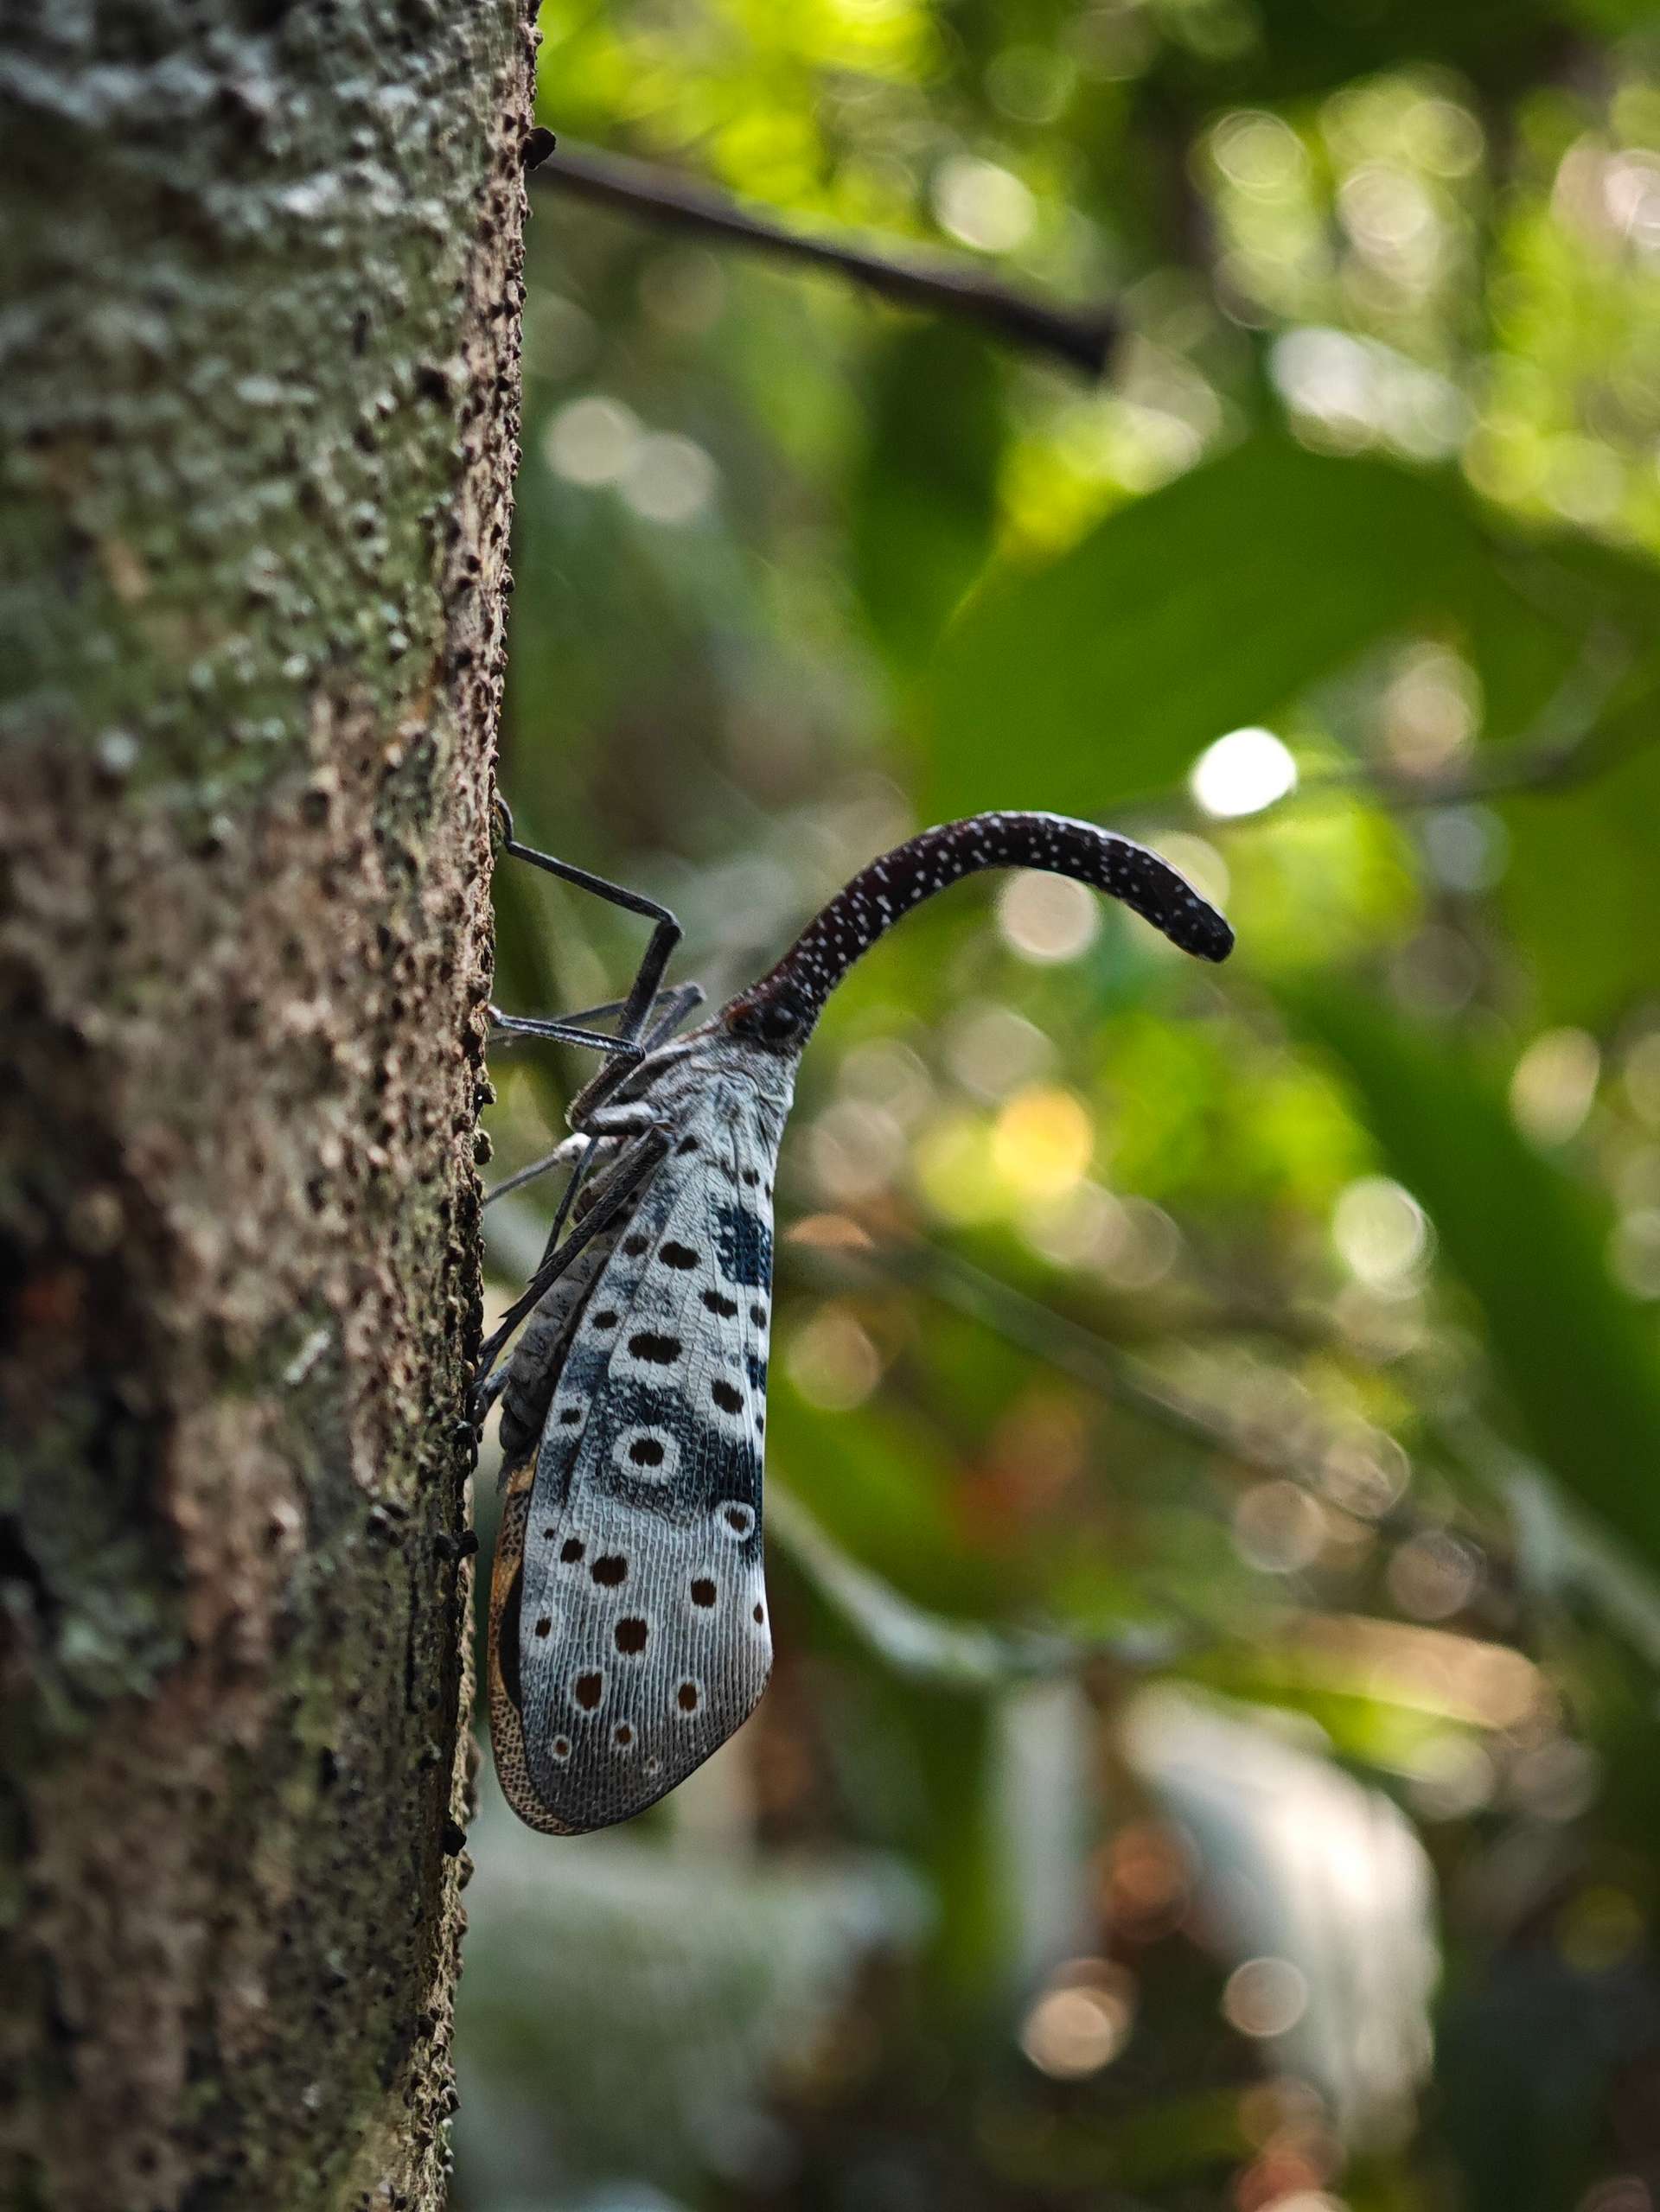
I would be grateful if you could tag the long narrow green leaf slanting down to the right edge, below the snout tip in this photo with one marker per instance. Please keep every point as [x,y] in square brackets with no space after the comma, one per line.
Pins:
[1570,1348]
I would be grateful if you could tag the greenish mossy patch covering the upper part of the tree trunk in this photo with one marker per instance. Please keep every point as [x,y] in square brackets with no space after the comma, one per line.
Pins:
[236,280]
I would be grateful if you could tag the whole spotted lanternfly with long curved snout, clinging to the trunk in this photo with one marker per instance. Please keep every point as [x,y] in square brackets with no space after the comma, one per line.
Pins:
[630,1627]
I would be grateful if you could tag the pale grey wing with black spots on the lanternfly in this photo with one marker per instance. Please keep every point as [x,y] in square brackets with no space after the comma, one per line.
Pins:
[643,1627]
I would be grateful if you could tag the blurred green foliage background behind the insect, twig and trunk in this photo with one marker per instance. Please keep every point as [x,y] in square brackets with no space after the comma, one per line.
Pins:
[1214,1757]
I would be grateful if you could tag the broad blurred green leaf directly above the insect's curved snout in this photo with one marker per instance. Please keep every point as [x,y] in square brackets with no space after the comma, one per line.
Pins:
[1199,609]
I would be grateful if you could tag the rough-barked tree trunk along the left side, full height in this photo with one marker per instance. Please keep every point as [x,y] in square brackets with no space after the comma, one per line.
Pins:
[258,417]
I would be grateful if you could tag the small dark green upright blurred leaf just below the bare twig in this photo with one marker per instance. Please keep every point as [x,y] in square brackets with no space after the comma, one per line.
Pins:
[924,494]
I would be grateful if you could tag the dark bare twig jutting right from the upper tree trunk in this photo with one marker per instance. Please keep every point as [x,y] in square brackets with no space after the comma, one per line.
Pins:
[1083,340]
